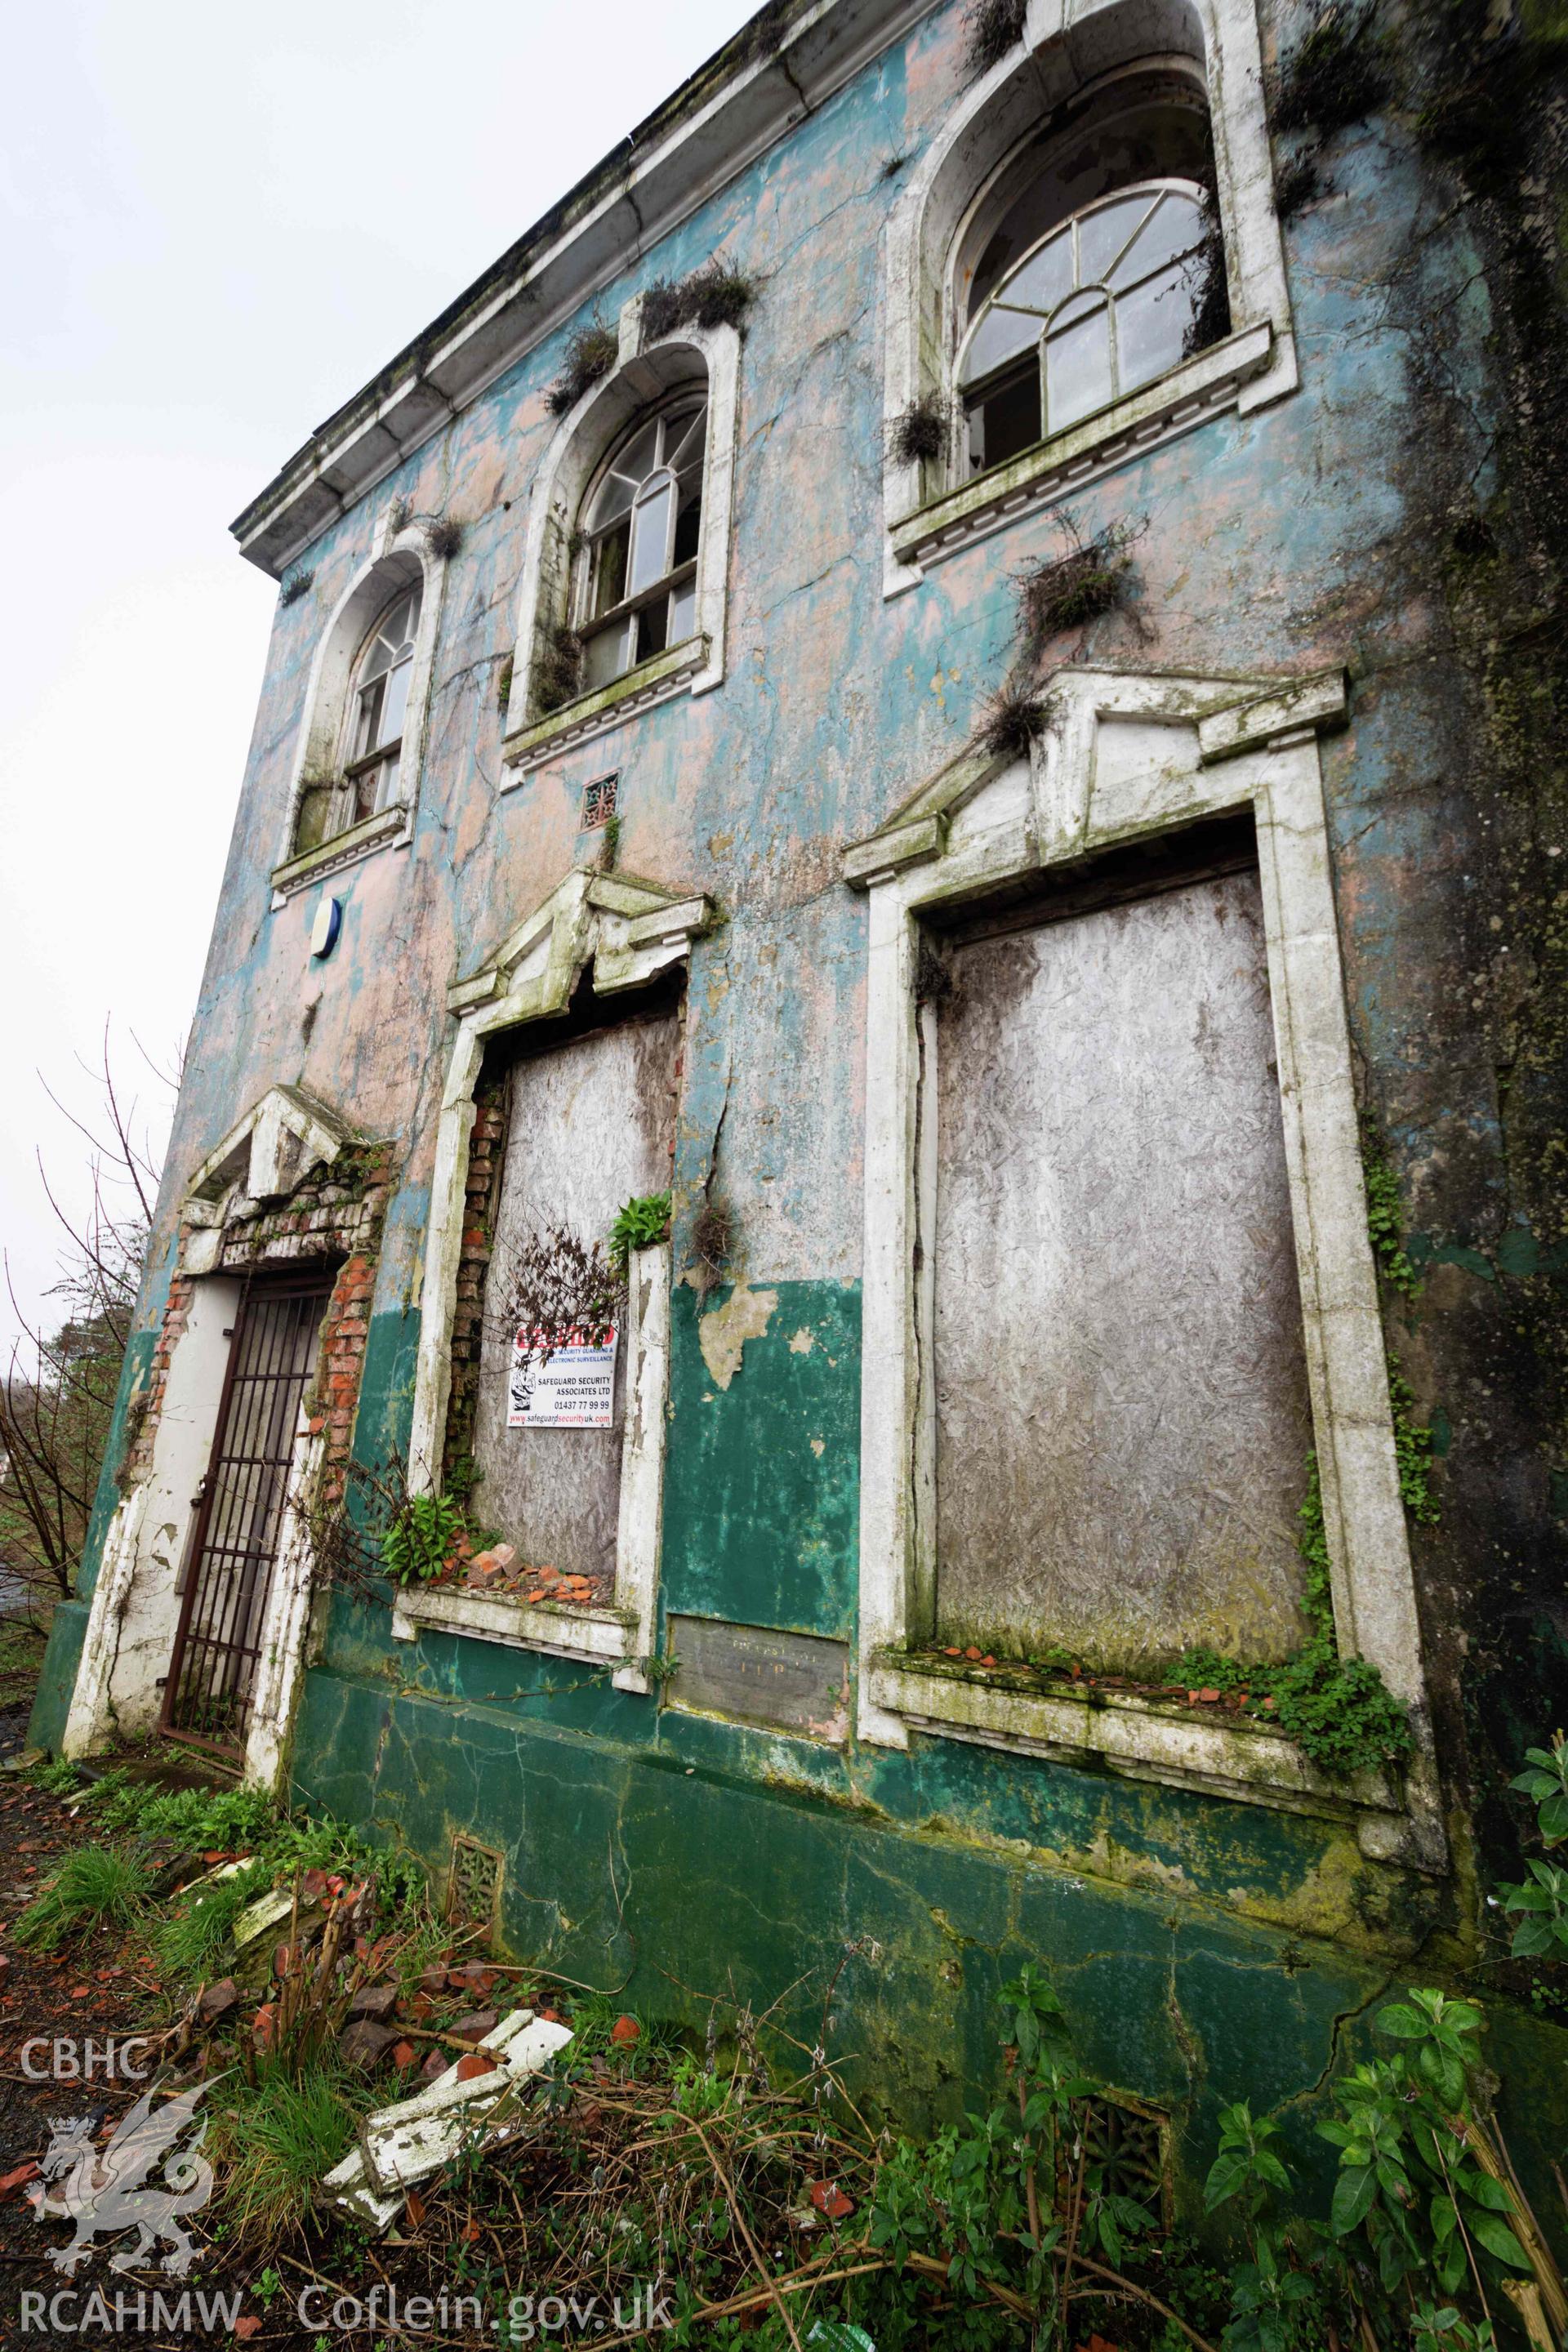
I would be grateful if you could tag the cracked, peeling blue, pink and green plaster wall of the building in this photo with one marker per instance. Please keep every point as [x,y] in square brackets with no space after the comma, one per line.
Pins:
[1292,540]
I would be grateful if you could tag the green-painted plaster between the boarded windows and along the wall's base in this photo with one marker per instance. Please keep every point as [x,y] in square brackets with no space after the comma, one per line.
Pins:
[1207,1951]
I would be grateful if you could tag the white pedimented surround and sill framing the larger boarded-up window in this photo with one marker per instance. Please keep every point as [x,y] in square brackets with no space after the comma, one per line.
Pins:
[1132,756]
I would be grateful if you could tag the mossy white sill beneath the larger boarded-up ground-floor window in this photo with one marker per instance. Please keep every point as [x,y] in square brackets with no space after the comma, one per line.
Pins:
[1137,1737]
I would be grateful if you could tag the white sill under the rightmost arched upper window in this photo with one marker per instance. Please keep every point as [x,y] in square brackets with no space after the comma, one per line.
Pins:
[1177,403]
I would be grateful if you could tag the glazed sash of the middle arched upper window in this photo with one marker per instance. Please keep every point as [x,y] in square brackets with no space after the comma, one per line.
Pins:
[641,526]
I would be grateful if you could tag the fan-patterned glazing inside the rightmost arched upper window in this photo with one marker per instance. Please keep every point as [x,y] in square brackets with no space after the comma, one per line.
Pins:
[1092,312]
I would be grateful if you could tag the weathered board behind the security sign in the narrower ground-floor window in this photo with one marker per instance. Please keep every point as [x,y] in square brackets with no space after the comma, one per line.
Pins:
[591,1125]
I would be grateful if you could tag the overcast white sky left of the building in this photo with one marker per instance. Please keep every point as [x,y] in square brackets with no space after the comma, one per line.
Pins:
[215,227]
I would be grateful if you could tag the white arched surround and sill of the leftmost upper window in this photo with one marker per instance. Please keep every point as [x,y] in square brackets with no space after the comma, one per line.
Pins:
[398,559]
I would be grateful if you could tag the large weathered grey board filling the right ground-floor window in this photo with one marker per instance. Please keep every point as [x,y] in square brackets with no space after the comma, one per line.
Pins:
[1120,1387]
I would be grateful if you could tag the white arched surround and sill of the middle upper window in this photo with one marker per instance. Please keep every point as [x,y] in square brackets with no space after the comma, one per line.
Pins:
[643,377]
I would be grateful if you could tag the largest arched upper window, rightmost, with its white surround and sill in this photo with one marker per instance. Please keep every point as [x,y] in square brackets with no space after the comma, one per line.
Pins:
[1083,265]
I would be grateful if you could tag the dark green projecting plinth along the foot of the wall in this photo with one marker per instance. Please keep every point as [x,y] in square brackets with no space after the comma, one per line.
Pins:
[664,1878]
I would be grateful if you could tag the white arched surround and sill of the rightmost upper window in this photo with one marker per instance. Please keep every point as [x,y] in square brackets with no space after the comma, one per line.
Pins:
[1066,48]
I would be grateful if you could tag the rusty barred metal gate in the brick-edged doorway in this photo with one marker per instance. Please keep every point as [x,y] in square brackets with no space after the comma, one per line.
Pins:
[234,1549]
